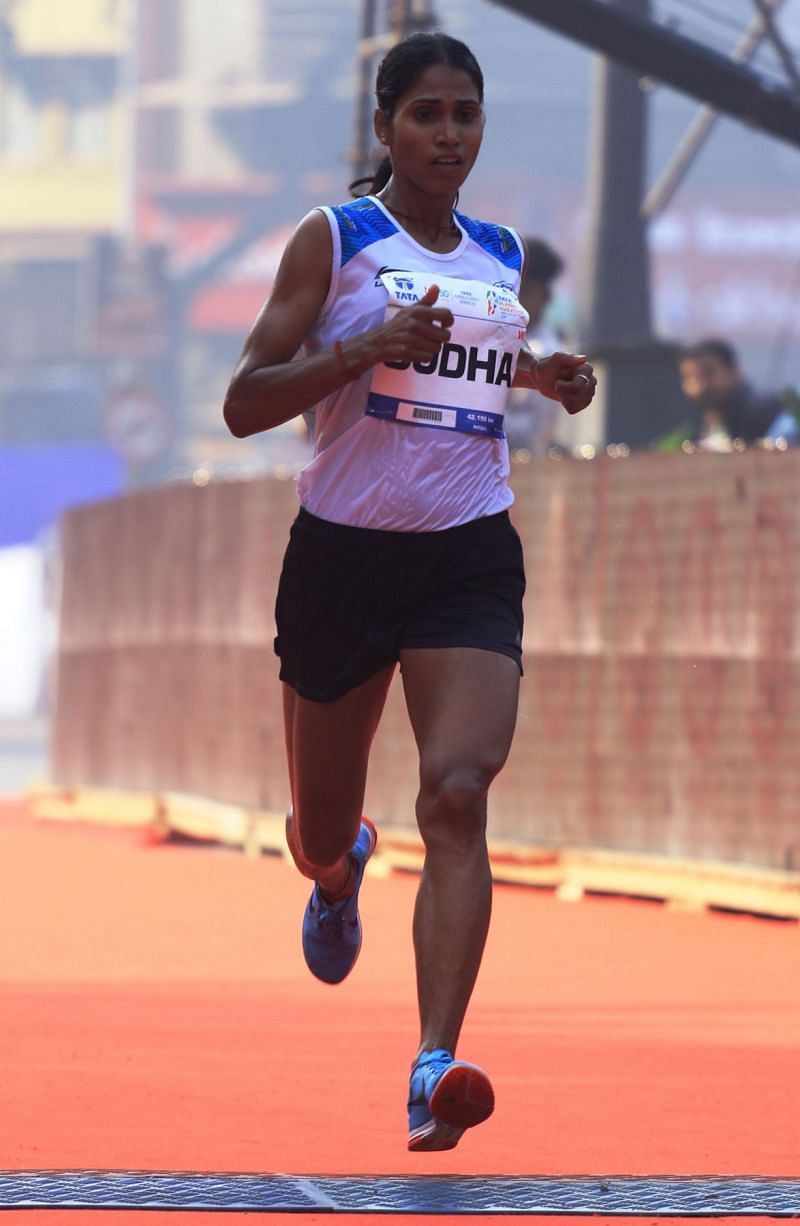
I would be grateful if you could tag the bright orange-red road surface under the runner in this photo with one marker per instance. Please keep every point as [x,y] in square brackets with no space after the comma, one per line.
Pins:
[157,1016]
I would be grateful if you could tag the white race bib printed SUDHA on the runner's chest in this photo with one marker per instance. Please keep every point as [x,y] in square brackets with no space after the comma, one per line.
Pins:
[466,387]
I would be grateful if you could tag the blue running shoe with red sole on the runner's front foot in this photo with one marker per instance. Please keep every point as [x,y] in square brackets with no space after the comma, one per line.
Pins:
[445,1098]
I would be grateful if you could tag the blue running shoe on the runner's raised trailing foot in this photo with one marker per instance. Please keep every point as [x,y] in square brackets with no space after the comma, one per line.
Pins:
[333,931]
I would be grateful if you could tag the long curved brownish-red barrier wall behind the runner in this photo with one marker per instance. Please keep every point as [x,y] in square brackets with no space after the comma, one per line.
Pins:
[660,709]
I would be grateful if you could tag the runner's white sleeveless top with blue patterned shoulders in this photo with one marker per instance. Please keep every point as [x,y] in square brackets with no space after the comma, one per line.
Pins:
[388,474]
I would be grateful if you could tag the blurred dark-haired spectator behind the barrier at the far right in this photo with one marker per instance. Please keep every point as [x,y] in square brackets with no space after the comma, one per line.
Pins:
[727,405]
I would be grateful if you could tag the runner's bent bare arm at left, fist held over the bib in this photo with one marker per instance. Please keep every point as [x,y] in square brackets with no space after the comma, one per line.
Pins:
[268,388]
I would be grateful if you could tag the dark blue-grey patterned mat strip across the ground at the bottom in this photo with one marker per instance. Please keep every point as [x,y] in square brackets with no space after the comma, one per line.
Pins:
[619,1196]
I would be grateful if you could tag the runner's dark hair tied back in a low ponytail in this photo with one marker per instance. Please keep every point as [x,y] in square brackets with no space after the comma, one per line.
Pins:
[398,73]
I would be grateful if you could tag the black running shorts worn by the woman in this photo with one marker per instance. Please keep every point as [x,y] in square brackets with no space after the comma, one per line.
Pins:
[351,600]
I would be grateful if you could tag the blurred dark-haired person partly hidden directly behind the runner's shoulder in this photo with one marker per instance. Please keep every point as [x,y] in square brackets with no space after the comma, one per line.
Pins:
[531,419]
